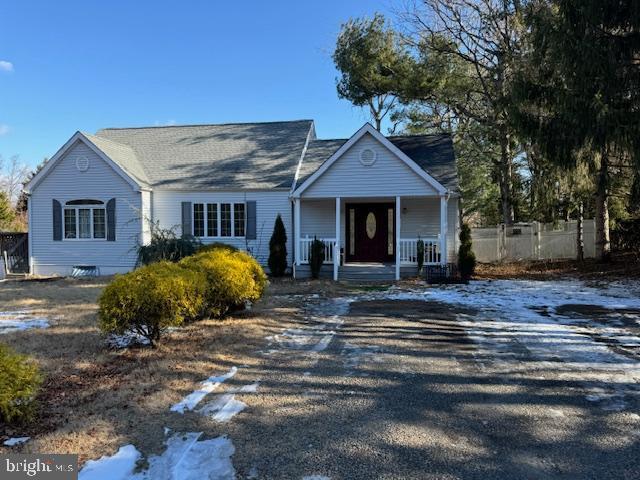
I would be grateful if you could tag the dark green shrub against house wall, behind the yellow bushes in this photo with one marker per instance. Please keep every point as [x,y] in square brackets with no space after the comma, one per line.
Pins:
[166,245]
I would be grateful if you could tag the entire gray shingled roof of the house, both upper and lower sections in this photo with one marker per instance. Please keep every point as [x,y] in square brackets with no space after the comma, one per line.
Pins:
[246,155]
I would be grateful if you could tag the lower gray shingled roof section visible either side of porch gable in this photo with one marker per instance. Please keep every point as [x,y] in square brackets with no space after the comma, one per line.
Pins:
[433,153]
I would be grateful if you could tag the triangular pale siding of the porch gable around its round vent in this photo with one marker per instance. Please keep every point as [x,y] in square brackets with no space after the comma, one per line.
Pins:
[388,176]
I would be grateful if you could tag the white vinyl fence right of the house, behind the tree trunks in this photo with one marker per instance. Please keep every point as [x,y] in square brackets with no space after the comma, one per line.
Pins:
[532,241]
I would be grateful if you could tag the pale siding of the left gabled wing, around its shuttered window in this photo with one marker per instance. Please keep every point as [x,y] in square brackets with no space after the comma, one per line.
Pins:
[65,183]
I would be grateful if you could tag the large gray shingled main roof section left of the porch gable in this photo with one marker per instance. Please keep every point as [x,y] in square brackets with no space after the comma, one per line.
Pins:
[247,155]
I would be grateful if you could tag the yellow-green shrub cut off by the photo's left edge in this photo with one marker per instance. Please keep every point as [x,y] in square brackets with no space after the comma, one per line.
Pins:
[19,384]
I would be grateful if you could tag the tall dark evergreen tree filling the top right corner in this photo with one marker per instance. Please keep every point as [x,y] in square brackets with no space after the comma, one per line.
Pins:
[577,90]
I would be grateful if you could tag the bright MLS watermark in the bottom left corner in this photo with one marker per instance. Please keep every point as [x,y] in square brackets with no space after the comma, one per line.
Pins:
[38,466]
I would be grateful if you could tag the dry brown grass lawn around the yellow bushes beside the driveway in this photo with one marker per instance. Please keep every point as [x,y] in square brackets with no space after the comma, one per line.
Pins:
[95,399]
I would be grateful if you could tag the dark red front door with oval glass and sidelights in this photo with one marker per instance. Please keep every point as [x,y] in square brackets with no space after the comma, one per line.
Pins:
[369,232]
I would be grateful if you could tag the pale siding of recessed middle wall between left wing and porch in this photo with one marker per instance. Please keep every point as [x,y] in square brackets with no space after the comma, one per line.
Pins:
[269,203]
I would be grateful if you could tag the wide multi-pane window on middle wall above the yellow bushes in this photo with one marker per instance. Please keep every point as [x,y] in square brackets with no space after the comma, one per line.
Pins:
[215,220]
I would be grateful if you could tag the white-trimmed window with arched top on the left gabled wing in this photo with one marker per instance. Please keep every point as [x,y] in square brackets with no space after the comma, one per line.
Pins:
[85,220]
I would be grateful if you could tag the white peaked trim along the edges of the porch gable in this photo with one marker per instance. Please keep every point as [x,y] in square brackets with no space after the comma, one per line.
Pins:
[368,128]
